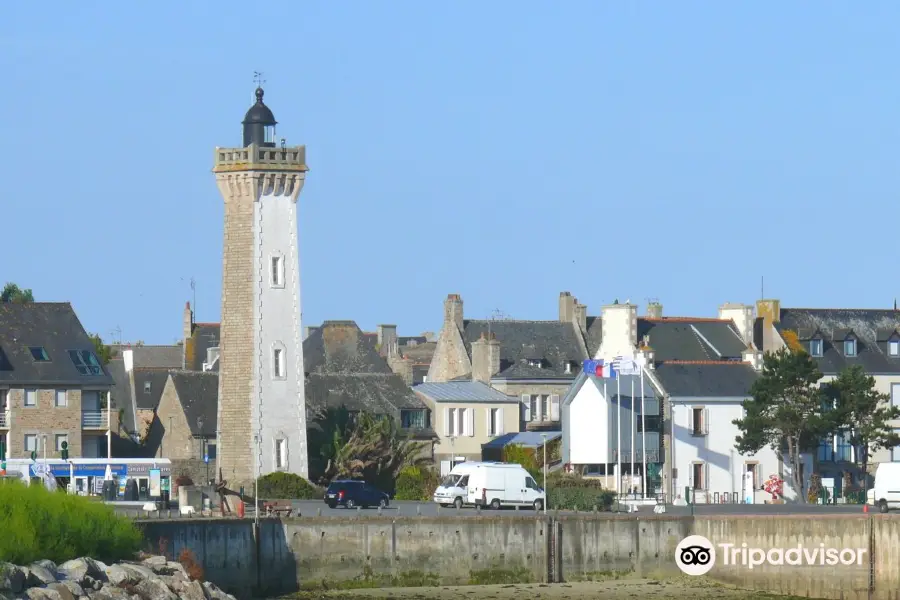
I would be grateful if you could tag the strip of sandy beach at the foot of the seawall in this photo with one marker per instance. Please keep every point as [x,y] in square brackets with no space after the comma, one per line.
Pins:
[629,589]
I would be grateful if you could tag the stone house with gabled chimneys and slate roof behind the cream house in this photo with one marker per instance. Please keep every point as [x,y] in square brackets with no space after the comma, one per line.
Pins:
[535,361]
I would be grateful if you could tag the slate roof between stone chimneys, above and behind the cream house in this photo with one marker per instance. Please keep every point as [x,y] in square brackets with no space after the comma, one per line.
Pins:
[553,342]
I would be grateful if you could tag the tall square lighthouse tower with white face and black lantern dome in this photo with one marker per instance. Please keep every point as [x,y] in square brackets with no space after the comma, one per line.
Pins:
[262,408]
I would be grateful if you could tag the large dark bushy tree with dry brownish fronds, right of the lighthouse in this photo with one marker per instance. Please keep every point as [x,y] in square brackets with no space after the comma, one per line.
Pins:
[362,446]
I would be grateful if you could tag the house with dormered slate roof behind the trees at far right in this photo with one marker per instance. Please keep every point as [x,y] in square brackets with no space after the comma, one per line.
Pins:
[837,339]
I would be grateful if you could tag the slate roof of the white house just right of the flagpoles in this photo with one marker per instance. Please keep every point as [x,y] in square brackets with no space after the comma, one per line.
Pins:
[706,379]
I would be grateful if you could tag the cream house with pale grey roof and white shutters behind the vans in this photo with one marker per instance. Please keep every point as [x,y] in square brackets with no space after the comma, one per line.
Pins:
[467,415]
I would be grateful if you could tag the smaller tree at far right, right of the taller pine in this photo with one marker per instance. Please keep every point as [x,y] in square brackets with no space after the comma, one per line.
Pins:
[861,413]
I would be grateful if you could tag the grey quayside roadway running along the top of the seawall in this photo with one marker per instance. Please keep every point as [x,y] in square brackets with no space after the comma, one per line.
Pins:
[311,508]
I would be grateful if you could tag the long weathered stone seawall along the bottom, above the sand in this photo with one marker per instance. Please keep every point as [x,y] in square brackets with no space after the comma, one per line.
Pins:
[307,552]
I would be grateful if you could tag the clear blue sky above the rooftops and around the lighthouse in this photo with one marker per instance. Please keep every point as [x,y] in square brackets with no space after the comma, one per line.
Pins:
[502,150]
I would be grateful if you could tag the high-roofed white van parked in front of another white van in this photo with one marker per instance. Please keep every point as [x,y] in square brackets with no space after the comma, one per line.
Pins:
[502,484]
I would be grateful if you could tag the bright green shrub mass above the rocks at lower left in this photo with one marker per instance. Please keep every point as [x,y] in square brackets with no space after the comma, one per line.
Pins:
[38,524]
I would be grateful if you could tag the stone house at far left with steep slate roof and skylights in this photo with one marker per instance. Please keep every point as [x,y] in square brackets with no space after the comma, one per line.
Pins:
[53,388]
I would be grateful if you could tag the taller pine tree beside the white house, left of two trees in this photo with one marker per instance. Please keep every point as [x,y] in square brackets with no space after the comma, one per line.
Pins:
[786,411]
